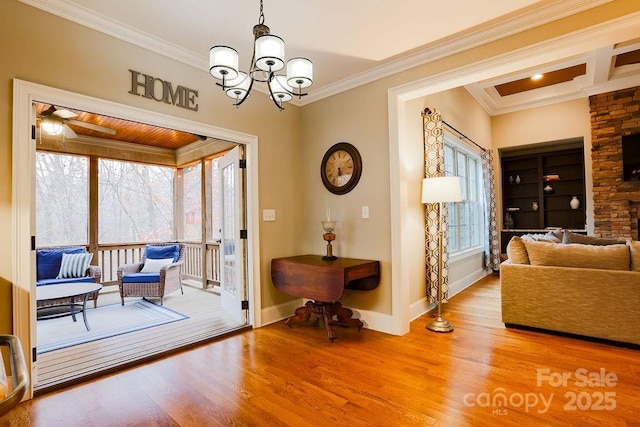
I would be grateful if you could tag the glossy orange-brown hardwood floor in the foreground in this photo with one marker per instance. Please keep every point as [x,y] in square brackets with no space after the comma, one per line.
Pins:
[481,374]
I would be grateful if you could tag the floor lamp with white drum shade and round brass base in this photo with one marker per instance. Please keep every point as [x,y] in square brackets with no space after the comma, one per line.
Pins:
[441,190]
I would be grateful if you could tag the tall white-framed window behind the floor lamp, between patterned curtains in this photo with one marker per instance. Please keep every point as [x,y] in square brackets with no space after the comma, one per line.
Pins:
[465,218]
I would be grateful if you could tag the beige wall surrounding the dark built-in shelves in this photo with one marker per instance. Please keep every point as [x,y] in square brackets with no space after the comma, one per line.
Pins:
[557,122]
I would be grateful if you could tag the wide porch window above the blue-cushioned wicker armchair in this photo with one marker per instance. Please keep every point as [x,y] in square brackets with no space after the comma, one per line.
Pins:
[135,202]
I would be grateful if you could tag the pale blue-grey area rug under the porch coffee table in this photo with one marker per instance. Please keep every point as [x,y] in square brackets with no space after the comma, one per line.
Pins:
[106,321]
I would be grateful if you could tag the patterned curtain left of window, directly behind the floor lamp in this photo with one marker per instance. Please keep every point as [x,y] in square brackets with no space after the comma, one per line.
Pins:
[434,166]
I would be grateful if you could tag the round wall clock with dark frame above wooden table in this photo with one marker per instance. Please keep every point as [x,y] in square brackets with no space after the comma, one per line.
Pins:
[341,168]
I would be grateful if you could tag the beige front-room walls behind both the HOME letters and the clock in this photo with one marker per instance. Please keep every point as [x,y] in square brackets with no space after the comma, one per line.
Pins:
[42,48]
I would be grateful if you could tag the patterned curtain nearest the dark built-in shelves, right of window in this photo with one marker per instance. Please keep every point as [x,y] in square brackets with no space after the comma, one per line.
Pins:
[492,245]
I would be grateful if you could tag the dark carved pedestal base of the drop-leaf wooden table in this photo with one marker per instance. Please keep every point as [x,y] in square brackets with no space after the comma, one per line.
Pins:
[325,311]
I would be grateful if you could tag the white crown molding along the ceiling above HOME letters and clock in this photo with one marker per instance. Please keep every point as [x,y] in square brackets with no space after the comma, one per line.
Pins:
[530,17]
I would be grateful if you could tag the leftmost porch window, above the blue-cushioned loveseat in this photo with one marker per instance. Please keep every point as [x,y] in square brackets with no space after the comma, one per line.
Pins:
[62,195]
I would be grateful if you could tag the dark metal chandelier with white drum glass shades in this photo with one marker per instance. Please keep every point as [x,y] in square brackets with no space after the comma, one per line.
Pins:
[267,60]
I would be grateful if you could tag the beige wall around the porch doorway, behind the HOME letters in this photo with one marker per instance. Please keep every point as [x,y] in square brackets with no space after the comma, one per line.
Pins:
[42,48]
